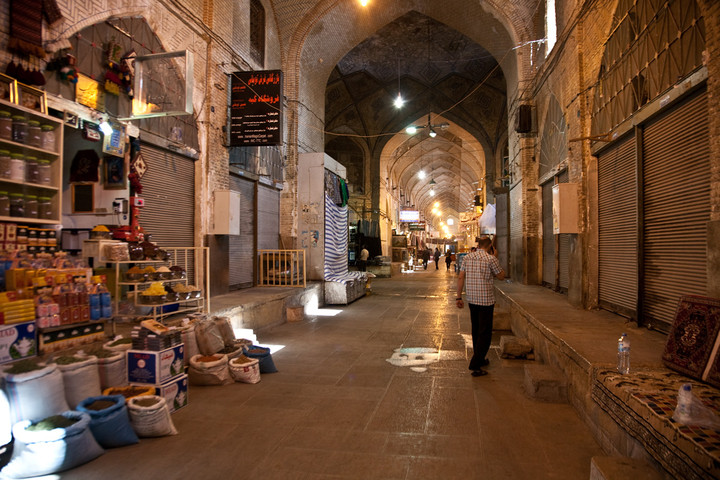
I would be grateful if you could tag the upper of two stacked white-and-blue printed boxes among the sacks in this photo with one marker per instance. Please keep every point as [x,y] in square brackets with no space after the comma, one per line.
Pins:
[146,366]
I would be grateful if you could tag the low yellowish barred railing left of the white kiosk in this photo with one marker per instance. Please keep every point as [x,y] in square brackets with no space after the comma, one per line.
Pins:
[281,268]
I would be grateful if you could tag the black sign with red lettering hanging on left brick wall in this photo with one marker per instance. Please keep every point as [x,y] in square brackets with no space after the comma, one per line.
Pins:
[256,108]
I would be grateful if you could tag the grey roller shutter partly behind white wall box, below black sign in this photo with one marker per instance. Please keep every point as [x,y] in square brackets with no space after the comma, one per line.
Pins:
[242,247]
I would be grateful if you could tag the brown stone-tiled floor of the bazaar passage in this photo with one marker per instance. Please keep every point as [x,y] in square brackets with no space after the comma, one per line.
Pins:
[337,409]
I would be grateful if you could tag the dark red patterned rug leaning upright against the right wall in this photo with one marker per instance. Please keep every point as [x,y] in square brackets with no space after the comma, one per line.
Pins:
[693,342]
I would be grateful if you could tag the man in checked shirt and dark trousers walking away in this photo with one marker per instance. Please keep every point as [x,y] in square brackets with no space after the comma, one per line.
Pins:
[479,268]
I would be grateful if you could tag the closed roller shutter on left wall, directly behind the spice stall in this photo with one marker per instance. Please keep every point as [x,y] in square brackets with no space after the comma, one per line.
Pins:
[169,194]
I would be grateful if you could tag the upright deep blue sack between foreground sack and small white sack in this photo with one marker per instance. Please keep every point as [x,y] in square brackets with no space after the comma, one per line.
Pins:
[109,420]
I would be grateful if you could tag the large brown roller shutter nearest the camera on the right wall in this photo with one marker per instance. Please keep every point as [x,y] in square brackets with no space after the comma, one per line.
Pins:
[676,208]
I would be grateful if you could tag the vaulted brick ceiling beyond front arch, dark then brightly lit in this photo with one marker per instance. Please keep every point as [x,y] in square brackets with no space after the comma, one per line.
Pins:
[438,71]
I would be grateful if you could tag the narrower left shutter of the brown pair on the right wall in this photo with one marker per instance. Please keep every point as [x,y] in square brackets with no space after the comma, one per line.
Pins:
[617,228]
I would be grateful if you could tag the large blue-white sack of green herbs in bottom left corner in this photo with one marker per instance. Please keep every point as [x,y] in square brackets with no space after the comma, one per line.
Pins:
[51,445]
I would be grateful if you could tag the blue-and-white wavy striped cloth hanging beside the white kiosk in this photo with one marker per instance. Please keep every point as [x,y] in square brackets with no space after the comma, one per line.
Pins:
[336,244]
